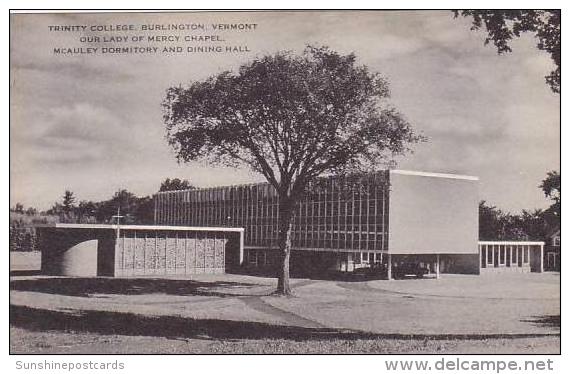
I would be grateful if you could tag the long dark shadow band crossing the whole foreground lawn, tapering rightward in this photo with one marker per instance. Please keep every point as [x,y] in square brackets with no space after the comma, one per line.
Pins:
[117,323]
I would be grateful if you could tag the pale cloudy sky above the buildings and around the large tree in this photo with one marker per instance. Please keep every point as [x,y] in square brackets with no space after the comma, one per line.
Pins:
[92,122]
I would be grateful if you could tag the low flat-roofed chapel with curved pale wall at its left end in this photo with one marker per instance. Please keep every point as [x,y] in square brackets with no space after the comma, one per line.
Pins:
[90,250]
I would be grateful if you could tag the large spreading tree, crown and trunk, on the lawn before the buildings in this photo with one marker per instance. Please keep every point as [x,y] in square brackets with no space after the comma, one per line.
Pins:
[290,118]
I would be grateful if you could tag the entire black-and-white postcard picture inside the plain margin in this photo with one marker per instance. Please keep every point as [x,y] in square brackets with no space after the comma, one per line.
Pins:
[292,182]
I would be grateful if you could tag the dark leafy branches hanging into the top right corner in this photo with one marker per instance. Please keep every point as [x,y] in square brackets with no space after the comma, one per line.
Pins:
[503,25]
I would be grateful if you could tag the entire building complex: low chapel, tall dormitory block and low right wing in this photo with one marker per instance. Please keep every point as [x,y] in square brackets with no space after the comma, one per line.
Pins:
[392,221]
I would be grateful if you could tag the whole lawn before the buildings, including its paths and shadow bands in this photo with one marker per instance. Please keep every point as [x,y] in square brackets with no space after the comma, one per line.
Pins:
[516,313]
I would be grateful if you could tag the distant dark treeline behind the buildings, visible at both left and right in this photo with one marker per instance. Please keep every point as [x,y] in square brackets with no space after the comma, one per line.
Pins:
[494,224]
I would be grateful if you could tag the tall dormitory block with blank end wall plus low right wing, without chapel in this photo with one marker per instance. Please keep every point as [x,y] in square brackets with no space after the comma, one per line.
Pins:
[391,217]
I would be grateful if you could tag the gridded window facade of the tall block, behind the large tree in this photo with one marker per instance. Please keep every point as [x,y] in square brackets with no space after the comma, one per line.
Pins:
[337,213]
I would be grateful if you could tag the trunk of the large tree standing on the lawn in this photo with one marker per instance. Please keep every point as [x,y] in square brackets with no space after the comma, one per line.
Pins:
[286,209]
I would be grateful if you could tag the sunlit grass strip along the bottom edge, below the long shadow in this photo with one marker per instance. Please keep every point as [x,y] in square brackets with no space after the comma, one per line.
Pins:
[47,342]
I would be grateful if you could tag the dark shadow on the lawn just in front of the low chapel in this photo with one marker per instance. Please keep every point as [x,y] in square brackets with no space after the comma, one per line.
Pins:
[84,287]
